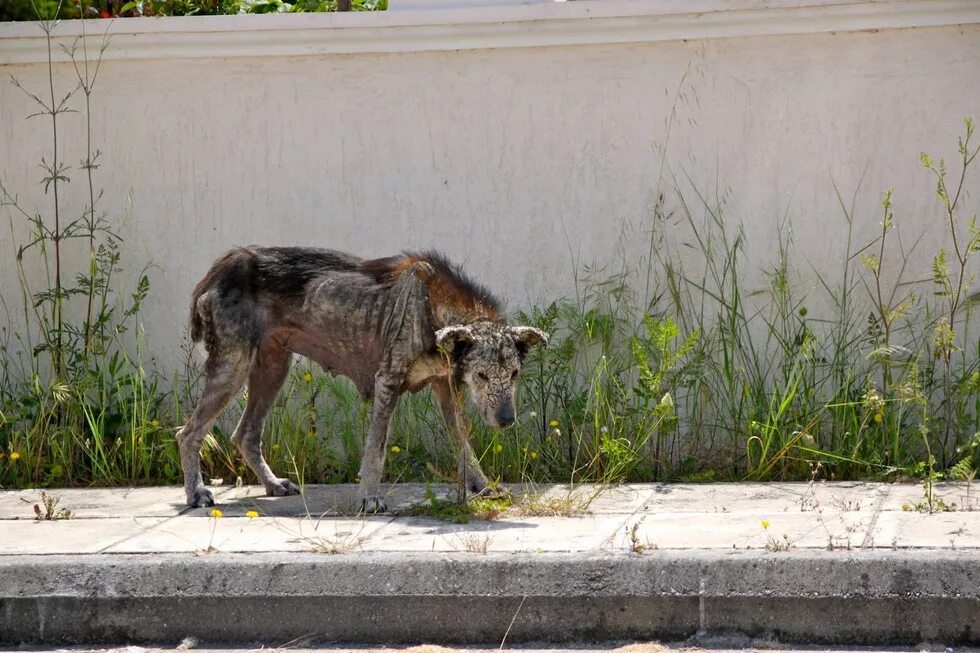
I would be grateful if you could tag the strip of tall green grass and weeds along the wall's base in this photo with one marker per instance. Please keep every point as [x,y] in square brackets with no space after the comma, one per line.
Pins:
[663,367]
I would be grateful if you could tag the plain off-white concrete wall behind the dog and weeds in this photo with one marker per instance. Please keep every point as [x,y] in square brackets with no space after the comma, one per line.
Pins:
[510,159]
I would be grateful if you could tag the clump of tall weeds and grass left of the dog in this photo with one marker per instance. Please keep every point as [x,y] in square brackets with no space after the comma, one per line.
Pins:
[82,408]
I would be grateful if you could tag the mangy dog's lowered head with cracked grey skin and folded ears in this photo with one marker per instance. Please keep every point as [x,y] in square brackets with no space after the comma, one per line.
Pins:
[488,357]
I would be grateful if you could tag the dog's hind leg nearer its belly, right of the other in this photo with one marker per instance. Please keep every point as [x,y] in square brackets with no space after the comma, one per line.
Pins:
[265,379]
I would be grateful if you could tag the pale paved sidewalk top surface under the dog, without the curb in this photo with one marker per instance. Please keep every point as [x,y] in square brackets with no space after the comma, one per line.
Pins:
[732,516]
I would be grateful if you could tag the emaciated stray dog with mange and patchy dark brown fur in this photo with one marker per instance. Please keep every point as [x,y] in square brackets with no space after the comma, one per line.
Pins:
[390,325]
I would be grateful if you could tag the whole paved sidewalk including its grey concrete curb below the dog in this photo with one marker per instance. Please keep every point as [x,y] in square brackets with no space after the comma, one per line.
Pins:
[821,563]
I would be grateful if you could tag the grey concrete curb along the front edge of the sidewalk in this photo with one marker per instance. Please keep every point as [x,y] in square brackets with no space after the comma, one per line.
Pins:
[842,597]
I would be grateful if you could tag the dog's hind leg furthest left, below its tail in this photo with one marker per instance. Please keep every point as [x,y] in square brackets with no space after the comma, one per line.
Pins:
[224,379]
